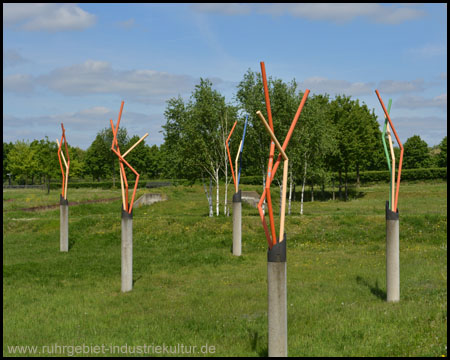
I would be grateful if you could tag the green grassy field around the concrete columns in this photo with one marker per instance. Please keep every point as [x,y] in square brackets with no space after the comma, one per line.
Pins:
[192,297]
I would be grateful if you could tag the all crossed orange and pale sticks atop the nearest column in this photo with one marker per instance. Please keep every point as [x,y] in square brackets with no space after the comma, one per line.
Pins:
[271,169]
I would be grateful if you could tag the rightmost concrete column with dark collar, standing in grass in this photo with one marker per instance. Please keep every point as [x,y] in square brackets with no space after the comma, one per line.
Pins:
[392,255]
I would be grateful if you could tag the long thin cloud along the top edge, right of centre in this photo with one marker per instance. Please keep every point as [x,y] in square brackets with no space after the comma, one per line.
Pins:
[336,12]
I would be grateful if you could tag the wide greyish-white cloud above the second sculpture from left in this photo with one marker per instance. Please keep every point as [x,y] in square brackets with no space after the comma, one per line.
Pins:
[98,77]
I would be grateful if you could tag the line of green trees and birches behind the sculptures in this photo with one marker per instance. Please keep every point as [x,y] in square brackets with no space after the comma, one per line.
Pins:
[332,136]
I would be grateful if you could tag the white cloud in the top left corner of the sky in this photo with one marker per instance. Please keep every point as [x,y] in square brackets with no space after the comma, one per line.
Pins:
[48,17]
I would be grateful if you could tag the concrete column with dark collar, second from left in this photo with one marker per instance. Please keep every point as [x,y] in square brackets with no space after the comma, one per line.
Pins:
[127,251]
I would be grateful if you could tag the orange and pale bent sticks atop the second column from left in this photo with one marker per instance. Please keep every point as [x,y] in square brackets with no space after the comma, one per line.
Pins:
[115,148]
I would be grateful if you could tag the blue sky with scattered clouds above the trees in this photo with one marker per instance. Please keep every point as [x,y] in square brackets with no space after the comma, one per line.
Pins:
[75,63]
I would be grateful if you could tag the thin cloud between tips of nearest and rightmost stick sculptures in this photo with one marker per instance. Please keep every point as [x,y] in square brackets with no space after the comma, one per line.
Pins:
[320,85]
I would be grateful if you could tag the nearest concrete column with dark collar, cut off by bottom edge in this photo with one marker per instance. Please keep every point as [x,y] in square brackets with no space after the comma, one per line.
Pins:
[277,300]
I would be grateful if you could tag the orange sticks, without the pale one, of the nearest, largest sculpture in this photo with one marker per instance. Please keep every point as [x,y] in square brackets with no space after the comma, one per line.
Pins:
[271,171]
